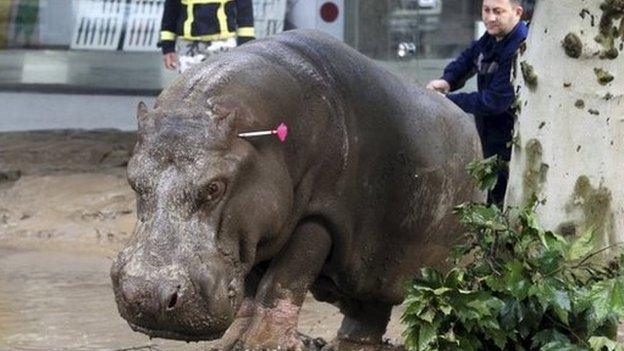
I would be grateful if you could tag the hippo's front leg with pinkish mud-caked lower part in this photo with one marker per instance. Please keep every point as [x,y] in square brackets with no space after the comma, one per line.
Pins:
[283,288]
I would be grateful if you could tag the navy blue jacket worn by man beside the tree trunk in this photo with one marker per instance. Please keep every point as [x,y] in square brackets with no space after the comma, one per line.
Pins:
[492,61]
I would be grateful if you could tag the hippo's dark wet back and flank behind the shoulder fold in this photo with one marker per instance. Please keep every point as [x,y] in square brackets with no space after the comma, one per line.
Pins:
[401,169]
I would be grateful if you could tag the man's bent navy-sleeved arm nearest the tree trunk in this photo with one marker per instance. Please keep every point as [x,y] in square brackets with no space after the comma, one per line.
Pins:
[496,99]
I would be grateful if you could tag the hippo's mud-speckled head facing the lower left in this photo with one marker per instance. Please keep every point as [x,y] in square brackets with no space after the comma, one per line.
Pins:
[212,208]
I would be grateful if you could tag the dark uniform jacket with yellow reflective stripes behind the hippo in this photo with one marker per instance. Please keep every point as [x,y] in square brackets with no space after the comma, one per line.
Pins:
[206,20]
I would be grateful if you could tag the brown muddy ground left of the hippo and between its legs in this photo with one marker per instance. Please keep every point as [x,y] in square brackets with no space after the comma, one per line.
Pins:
[65,210]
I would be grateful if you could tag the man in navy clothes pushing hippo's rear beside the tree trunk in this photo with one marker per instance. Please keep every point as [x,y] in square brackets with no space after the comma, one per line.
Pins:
[491,58]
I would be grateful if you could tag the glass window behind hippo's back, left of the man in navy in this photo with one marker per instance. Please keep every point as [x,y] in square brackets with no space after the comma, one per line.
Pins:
[415,38]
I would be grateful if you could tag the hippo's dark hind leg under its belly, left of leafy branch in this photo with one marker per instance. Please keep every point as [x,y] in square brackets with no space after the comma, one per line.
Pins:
[363,326]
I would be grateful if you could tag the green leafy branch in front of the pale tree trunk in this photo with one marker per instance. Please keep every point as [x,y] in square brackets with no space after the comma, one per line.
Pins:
[516,286]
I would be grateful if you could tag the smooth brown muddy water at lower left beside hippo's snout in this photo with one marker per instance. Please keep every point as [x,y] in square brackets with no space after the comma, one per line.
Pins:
[64,301]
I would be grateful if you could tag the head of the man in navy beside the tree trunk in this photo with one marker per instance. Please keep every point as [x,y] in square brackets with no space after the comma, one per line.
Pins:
[501,16]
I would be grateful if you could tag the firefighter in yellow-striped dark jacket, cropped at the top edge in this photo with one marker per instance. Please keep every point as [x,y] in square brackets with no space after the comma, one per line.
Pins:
[192,30]
